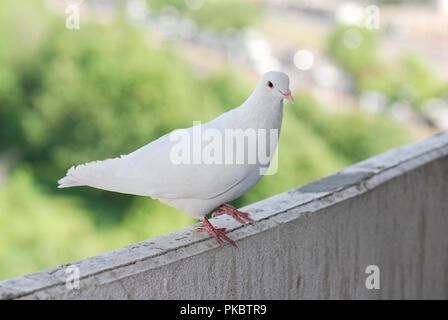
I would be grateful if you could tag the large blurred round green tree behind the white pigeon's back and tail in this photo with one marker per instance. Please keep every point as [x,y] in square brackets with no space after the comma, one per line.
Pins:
[103,96]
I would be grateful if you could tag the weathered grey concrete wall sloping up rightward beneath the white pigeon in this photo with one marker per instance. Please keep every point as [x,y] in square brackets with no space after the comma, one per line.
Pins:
[314,241]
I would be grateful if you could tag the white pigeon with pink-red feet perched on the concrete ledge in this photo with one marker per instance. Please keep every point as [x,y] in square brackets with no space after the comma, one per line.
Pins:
[196,188]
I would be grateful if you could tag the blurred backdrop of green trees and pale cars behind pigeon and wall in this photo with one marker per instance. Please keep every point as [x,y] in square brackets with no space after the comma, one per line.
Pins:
[367,76]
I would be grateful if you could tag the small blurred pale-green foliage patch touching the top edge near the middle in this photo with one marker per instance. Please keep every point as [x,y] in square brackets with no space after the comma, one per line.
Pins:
[217,15]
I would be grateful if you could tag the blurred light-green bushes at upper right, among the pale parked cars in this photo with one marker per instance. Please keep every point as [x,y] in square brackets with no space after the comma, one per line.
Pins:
[409,79]
